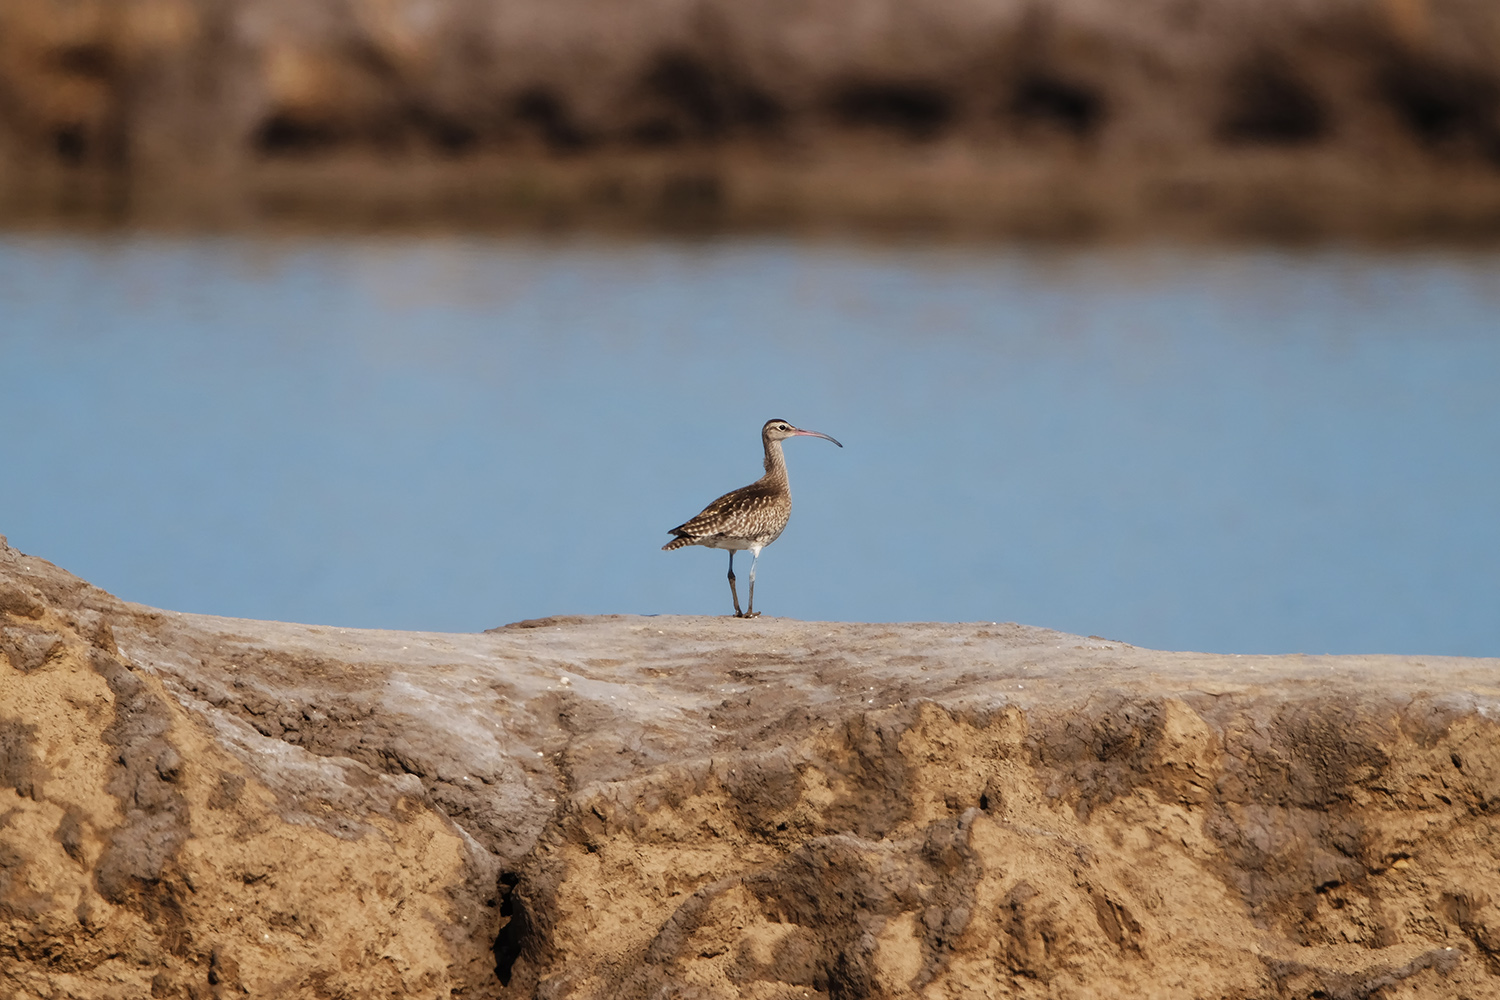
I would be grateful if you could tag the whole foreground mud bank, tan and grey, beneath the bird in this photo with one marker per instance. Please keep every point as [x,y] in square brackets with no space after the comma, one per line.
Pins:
[644,807]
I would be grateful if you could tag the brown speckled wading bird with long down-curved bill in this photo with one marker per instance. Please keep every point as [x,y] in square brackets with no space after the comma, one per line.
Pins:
[751,518]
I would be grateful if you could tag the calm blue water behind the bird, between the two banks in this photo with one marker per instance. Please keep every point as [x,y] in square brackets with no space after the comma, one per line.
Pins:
[1201,449]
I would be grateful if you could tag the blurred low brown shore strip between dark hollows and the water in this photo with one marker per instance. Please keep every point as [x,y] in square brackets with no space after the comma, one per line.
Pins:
[946,193]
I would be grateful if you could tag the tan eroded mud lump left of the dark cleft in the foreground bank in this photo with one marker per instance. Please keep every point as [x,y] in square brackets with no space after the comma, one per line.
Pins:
[148,854]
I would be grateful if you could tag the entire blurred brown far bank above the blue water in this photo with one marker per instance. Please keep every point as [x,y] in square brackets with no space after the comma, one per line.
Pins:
[1250,118]
